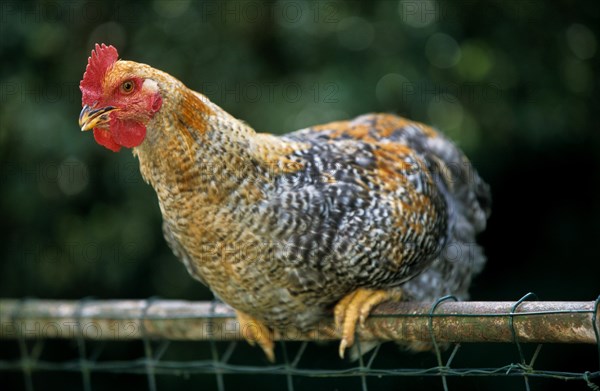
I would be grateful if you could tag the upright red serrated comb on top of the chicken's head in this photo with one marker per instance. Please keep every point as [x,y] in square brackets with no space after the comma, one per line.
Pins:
[102,58]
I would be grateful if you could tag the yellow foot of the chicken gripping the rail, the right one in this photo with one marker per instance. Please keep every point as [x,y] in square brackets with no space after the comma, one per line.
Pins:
[355,307]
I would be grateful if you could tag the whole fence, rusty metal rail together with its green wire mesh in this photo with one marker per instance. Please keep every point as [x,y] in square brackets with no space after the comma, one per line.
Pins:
[442,322]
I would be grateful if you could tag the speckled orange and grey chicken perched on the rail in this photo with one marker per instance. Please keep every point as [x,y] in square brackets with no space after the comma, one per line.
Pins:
[328,220]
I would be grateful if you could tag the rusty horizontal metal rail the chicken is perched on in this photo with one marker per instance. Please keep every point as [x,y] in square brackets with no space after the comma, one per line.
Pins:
[448,321]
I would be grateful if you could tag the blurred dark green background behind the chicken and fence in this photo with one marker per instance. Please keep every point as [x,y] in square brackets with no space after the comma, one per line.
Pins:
[514,83]
